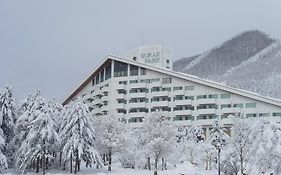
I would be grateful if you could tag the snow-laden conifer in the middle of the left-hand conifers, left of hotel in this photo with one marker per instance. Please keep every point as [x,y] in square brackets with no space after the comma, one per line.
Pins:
[41,139]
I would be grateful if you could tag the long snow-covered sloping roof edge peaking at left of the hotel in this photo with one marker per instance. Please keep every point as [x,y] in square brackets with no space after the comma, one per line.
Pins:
[178,75]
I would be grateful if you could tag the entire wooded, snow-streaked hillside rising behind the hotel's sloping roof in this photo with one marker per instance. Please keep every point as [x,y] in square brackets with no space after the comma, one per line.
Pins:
[248,61]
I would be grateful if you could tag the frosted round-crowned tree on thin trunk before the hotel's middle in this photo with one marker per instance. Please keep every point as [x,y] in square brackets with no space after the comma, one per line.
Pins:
[159,135]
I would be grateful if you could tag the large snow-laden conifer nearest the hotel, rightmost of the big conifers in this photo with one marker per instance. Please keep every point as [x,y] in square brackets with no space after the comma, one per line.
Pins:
[78,136]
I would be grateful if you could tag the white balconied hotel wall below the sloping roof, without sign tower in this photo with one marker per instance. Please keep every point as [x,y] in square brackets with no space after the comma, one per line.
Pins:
[185,102]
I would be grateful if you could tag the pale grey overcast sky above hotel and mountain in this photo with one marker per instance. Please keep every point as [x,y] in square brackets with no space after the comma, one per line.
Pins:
[53,45]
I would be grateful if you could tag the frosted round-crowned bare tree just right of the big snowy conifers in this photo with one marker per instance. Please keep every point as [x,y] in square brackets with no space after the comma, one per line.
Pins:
[109,130]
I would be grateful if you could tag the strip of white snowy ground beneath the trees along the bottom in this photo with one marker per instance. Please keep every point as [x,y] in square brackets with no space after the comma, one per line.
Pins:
[185,169]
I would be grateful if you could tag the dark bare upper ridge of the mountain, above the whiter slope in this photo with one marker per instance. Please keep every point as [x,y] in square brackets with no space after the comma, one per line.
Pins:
[215,62]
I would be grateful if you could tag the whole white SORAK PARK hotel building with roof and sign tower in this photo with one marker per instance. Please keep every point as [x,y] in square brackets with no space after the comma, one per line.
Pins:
[143,83]
